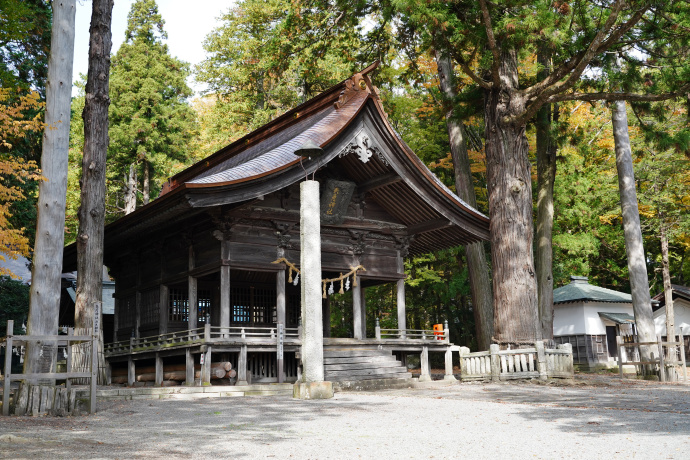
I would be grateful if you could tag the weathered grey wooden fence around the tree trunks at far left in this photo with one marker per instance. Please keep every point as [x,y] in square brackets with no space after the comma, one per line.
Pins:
[12,340]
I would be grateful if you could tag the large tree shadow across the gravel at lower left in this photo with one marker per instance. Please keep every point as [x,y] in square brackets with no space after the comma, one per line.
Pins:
[158,428]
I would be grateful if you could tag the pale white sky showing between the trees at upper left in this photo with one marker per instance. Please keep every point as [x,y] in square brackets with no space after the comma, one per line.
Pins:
[186,22]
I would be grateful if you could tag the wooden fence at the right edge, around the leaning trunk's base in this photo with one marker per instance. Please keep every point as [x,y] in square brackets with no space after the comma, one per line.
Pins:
[664,359]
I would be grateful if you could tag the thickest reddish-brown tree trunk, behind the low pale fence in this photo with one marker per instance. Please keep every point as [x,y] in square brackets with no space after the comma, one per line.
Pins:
[510,209]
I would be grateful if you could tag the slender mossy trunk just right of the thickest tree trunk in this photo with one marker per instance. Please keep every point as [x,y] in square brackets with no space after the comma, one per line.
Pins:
[546,176]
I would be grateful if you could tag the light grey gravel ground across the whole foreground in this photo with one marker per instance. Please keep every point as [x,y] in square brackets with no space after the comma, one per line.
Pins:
[597,417]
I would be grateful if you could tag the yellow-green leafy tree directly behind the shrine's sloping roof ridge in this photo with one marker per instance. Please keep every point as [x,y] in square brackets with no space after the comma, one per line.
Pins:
[257,67]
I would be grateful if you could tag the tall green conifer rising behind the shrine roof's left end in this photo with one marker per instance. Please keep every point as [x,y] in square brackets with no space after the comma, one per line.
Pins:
[151,124]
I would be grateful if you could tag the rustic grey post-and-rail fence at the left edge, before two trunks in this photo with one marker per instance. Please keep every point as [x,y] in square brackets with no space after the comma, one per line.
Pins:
[65,397]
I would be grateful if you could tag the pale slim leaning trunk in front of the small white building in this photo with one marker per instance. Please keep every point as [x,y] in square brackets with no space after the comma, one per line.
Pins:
[637,267]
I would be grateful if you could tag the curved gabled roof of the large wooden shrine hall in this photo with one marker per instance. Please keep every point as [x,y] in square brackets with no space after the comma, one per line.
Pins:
[263,162]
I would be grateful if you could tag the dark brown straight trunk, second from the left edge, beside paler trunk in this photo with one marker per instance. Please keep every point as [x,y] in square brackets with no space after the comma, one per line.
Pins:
[92,209]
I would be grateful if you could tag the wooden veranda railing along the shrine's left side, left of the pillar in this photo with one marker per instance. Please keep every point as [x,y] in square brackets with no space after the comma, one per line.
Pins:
[206,334]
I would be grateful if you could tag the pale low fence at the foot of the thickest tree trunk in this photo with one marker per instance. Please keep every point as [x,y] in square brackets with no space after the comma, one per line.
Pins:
[524,363]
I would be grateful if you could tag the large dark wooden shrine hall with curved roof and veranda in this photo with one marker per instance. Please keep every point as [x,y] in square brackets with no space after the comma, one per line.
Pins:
[209,270]
